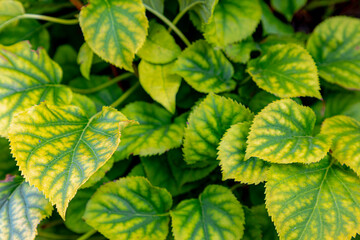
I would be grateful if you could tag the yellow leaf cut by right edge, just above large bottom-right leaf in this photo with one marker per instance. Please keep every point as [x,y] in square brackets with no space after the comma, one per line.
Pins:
[346,143]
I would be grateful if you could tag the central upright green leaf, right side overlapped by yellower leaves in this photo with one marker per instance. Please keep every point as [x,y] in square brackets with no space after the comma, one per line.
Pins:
[207,124]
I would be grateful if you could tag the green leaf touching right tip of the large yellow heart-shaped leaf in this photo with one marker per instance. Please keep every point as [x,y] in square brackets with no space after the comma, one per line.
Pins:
[156,133]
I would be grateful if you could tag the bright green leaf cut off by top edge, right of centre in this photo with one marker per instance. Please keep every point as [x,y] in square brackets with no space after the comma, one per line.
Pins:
[233,21]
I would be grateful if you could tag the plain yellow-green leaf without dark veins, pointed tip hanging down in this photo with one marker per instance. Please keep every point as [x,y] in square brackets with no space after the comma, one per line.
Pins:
[160,83]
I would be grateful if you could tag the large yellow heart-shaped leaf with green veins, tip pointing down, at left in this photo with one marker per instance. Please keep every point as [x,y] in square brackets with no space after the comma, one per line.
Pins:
[58,148]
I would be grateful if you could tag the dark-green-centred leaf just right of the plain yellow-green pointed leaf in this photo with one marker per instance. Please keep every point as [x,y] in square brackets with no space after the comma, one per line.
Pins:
[205,69]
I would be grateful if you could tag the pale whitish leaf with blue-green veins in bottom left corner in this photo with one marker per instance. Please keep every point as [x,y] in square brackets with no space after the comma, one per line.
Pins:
[22,207]
